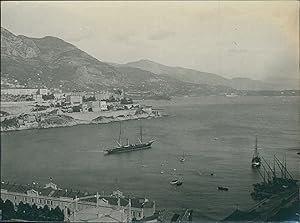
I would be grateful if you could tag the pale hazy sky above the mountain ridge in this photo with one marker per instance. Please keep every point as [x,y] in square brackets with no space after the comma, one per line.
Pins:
[246,39]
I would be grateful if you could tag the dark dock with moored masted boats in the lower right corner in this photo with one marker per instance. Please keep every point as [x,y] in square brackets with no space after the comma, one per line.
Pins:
[275,194]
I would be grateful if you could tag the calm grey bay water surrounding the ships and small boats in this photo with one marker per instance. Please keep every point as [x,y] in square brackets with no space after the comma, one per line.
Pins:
[216,134]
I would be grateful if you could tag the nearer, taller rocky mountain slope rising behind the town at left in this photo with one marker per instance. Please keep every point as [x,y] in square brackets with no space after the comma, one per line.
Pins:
[52,62]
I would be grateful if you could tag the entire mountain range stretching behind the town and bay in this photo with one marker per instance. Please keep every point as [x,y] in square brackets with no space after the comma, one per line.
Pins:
[51,62]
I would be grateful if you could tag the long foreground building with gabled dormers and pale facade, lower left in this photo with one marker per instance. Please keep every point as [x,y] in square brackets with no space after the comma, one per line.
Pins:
[74,202]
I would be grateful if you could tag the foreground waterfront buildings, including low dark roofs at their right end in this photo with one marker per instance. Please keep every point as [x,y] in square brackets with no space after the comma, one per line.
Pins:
[81,206]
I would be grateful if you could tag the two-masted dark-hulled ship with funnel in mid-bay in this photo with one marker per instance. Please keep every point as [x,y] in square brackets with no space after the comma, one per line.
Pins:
[122,148]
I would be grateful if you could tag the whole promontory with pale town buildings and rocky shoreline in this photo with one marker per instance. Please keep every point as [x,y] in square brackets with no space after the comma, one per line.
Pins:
[24,108]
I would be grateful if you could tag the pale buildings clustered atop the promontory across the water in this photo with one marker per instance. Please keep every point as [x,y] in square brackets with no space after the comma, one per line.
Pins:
[83,101]
